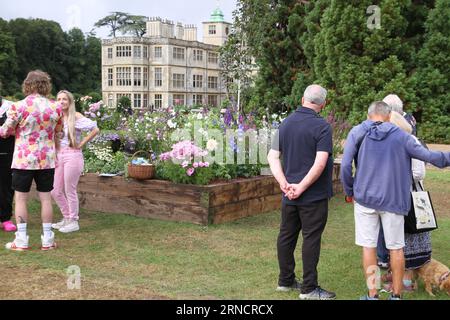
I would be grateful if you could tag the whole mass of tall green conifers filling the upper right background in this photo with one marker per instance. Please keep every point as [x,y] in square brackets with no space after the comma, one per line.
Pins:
[297,43]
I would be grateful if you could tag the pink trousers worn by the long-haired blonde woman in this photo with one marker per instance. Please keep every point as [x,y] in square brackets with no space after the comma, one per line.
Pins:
[69,167]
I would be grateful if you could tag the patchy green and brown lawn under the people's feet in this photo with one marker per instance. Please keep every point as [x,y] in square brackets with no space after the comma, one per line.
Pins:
[124,257]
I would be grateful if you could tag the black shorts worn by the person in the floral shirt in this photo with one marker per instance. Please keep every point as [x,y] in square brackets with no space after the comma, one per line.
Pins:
[23,179]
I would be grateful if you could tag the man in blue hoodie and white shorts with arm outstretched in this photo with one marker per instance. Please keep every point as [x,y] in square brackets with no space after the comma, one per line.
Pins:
[381,187]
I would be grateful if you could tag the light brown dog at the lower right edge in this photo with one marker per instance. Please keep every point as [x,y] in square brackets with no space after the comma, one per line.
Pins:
[435,274]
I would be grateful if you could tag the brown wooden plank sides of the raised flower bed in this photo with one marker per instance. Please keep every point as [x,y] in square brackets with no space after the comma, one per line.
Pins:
[204,205]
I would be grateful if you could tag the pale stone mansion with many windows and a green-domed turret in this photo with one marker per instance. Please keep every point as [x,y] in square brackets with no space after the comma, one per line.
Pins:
[166,67]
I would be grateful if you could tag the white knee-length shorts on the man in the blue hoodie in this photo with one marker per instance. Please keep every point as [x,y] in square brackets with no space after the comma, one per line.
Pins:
[367,225]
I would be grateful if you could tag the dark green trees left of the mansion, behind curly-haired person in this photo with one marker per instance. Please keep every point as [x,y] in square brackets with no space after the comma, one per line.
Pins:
[72,59]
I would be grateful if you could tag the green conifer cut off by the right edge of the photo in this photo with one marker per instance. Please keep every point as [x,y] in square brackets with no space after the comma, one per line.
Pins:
[432,81]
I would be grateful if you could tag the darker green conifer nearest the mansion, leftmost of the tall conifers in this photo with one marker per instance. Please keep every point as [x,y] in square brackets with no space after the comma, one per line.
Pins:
[273,29]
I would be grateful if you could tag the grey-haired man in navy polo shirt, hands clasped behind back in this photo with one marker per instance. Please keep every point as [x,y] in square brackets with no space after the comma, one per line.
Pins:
[304,142]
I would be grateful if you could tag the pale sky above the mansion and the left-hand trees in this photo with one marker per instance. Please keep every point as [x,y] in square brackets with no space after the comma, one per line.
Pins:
[84,13]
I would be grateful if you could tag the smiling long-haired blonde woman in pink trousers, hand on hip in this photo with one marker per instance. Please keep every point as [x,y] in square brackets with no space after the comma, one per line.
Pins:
[70,162]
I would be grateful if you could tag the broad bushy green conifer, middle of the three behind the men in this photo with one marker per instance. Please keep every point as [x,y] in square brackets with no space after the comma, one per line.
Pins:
[359,64]
